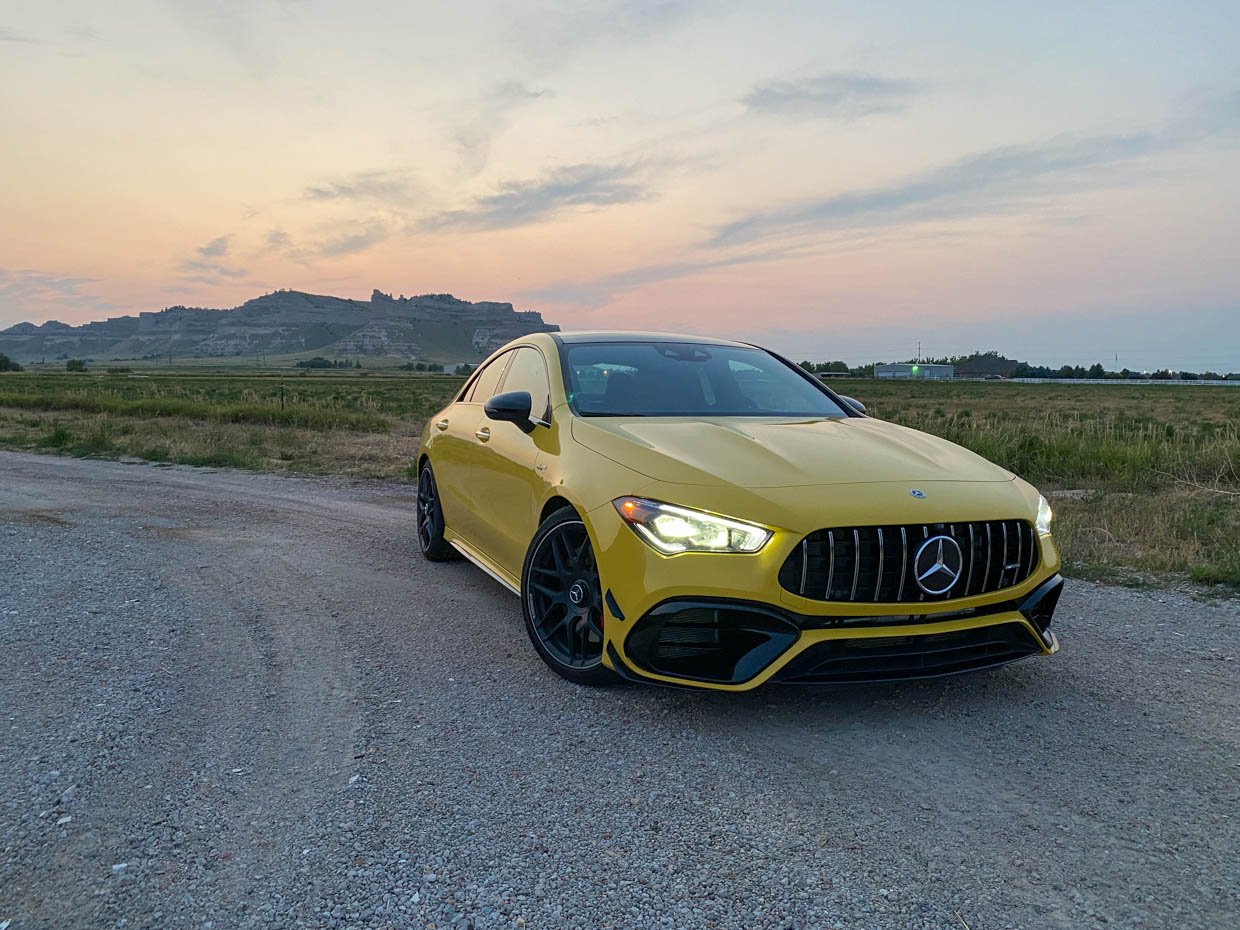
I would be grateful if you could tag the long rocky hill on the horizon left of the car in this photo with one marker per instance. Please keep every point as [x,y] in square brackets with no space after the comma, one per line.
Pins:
[430,328]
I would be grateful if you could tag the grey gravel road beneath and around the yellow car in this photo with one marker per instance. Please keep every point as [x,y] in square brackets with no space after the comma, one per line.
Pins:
[244,701]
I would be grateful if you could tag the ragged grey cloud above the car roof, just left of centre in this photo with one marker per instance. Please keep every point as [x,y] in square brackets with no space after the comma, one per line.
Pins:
[526,203]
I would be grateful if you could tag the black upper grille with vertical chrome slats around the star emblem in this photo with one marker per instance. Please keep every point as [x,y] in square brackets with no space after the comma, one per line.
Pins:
[875,565]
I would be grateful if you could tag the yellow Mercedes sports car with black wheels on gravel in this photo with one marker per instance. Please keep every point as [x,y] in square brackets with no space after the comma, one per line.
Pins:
[697,513]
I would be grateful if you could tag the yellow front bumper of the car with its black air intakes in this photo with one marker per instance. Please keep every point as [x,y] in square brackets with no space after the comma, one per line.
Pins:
[721,622]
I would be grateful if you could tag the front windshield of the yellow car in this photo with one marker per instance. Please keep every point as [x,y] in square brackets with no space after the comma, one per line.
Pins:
[688,380]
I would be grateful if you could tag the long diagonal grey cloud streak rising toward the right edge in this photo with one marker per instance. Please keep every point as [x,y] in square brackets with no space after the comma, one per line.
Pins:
[988,183]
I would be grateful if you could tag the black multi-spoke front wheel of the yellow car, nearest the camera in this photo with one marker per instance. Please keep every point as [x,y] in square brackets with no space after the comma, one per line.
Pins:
[562,601]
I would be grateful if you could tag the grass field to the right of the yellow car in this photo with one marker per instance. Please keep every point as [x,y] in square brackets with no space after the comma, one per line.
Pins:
[1158,468]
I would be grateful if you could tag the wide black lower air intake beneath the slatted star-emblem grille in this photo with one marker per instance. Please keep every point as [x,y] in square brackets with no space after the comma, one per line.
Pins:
[898,658]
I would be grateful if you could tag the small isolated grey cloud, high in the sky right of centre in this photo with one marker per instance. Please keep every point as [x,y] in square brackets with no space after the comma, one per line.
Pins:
[838,96]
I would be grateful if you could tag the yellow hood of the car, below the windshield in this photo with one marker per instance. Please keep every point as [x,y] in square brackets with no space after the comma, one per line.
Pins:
[751,452]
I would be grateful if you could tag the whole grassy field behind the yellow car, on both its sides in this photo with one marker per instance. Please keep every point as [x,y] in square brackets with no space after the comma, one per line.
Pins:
[1145,479]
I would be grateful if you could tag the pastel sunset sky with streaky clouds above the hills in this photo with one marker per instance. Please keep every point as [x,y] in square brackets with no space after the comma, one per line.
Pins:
[1058,182]
